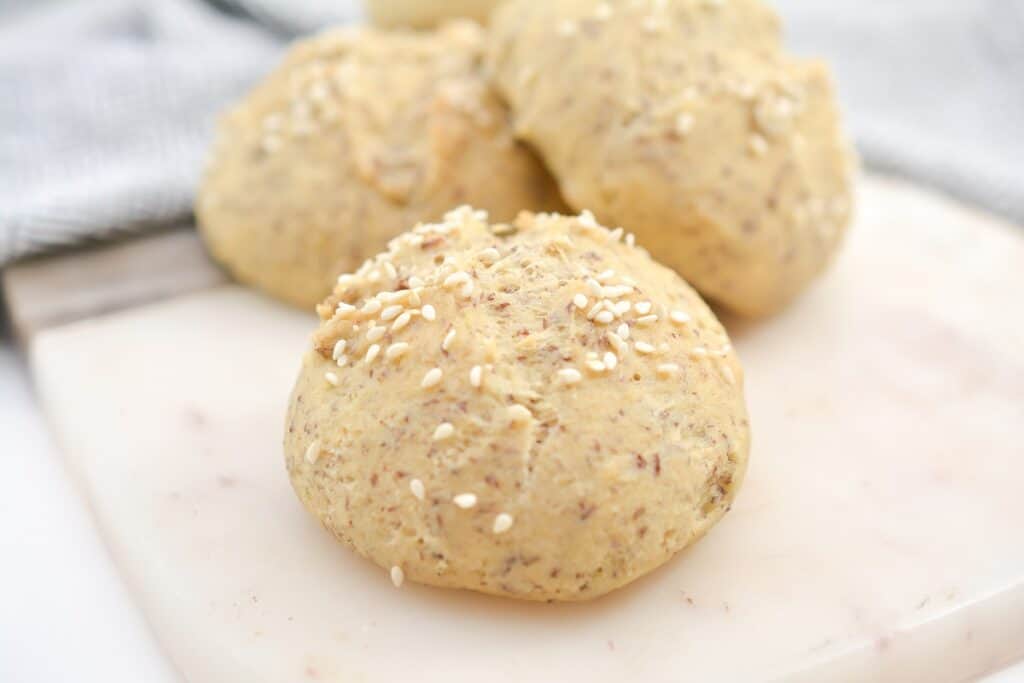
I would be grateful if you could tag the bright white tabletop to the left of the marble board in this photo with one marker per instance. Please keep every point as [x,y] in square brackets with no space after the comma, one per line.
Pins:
[66,613]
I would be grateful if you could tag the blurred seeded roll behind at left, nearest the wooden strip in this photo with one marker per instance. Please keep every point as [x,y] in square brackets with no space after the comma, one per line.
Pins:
[360,135]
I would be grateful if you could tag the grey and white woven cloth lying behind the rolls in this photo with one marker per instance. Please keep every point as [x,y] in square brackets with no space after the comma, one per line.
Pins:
[107,108]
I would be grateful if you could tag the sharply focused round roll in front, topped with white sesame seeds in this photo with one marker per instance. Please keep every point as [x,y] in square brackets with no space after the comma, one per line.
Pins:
[537,411]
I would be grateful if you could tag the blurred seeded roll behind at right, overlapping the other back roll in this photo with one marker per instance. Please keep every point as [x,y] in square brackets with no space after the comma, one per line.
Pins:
[687,122]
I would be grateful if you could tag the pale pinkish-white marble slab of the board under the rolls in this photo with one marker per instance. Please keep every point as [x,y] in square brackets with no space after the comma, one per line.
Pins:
[880,535]
